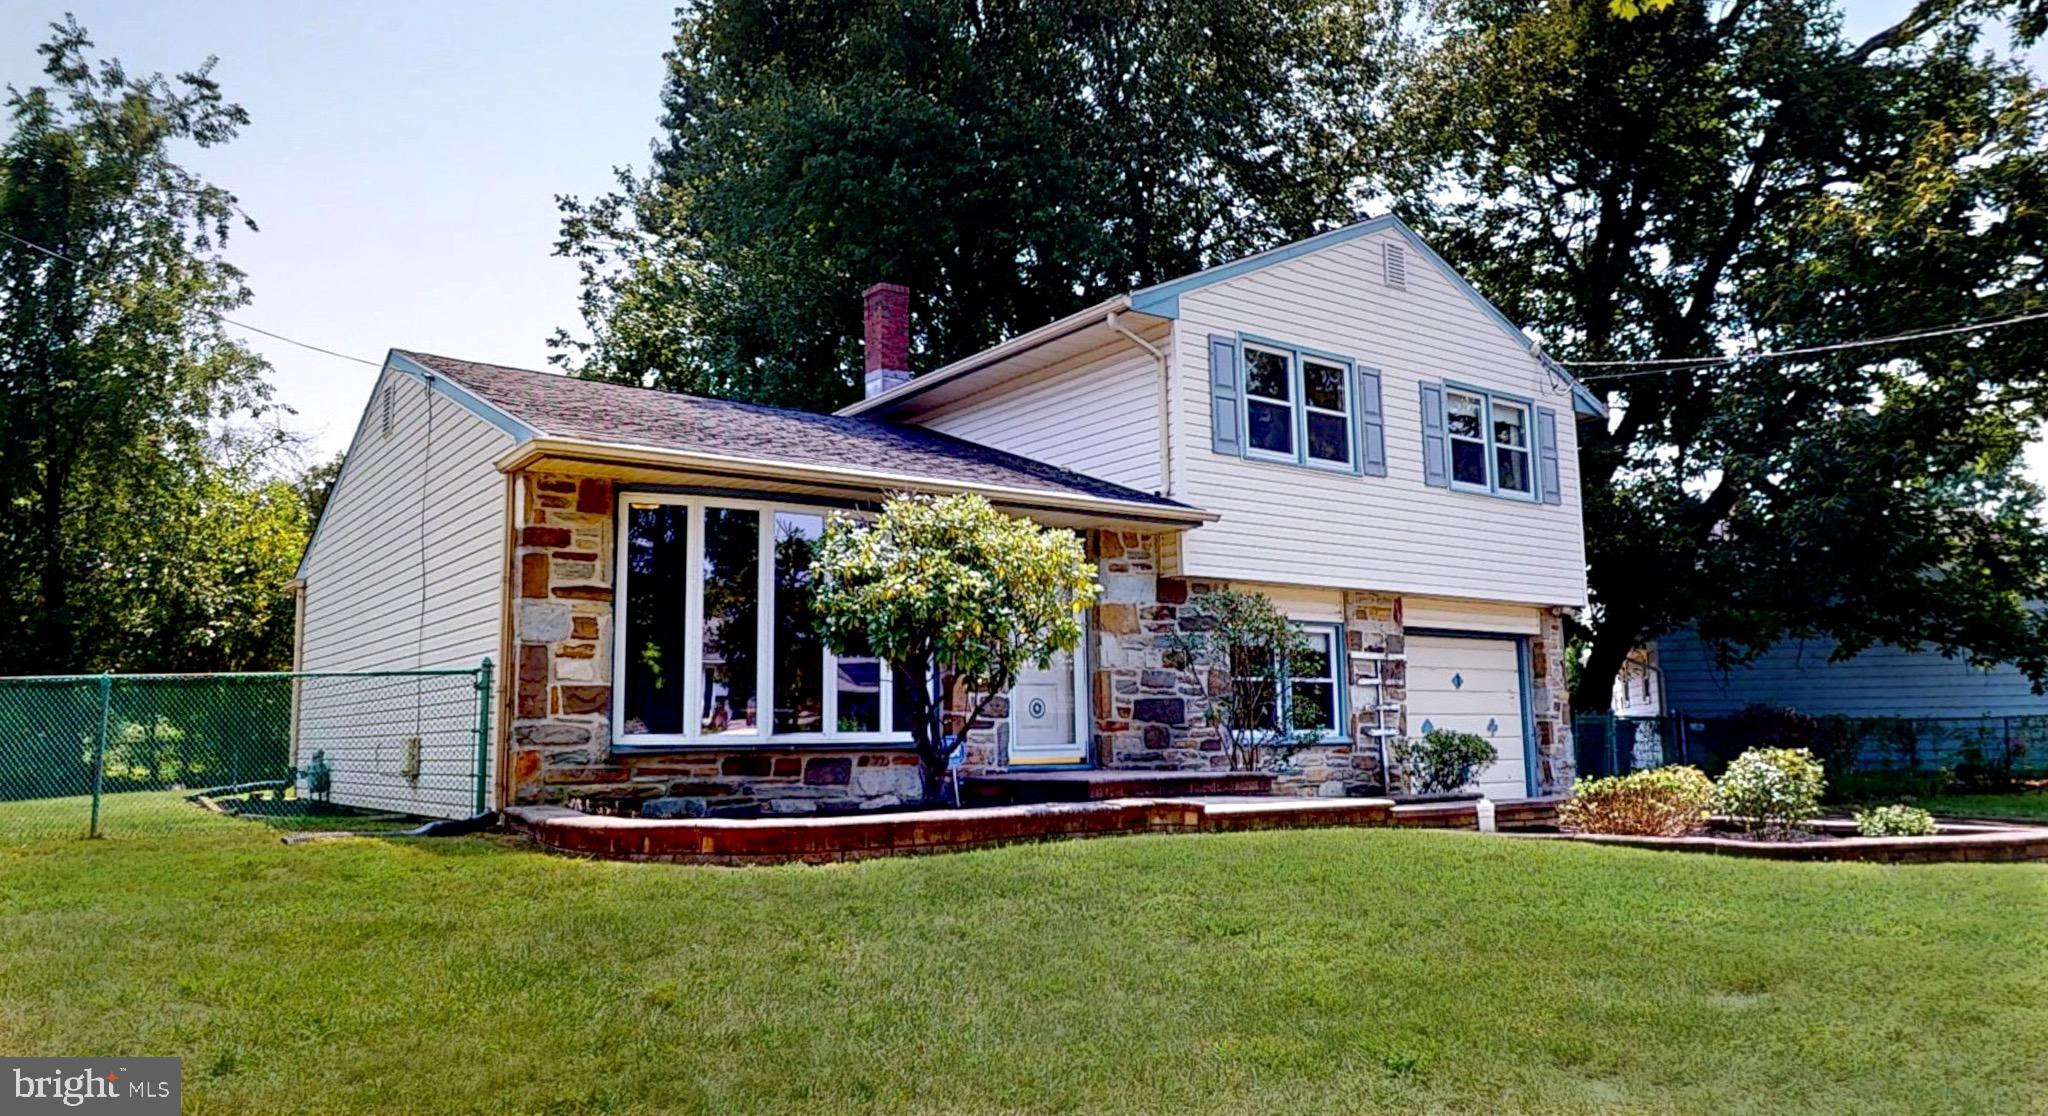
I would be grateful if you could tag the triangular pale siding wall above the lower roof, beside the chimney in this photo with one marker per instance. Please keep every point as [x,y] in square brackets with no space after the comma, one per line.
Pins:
[1095,415]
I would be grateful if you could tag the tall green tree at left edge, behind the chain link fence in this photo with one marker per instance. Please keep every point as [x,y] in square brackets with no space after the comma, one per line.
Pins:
[114,357]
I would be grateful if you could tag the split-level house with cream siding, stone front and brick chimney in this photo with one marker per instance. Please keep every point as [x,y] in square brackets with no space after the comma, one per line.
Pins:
[1342,425]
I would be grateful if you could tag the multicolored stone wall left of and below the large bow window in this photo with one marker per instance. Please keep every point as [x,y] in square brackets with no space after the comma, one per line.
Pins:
[562,695]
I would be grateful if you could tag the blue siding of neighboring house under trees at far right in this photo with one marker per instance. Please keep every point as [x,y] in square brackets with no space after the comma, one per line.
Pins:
[1879,683]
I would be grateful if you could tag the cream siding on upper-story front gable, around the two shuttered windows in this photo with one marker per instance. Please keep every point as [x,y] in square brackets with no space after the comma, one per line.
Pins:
[1306,527]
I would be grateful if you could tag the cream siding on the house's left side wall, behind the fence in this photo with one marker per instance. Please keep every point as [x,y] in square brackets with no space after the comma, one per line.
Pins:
[411,501]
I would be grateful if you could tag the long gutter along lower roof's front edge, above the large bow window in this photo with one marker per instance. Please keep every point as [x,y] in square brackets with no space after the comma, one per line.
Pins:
[536,449]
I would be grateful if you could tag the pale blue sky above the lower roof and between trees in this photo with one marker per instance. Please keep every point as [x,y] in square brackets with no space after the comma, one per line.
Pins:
[402,163]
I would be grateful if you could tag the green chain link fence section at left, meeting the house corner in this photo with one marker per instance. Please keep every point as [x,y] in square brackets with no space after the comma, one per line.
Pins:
[132,755]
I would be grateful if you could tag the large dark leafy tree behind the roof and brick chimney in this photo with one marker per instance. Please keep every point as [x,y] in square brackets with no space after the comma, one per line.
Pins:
[1007,161]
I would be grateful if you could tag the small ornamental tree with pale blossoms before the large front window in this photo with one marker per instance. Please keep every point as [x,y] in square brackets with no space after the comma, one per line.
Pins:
[949,581]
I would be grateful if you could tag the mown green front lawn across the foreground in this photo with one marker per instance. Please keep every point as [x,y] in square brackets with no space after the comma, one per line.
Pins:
[1302,972]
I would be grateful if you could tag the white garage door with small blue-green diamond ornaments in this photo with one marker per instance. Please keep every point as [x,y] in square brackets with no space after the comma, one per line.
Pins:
[1471,687]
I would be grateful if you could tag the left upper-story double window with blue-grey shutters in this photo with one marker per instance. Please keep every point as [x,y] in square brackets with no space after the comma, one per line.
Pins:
[1302,406]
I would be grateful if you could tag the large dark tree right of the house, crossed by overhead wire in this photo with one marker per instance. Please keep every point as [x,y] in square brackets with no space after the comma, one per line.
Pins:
[1738,177]
